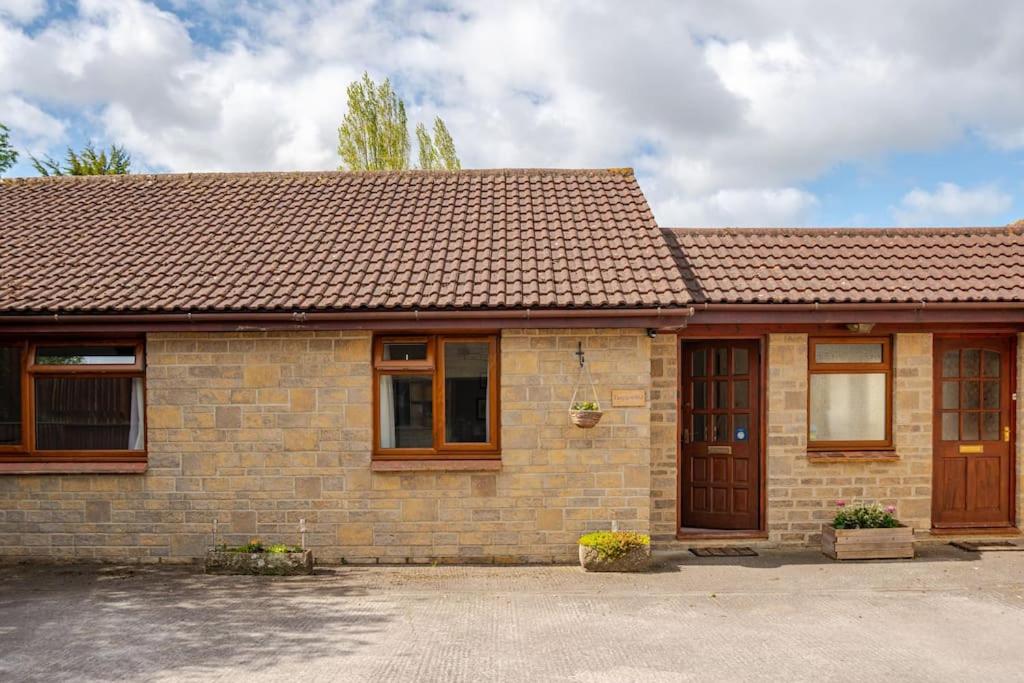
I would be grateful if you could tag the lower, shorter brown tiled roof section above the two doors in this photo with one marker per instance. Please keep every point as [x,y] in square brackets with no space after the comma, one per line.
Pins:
[806,266]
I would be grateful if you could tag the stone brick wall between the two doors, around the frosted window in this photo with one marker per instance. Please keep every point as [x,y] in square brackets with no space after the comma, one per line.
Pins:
[801,494]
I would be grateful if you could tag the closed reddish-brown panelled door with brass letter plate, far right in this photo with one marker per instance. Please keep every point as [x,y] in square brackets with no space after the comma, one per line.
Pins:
[973,431]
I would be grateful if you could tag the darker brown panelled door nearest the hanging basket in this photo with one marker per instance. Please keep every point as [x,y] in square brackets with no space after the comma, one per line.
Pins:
[720,459]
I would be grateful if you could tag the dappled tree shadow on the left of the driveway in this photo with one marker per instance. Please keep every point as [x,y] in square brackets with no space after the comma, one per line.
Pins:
[124,623]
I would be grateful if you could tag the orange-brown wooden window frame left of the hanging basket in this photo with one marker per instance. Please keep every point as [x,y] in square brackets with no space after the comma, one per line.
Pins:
[435,368]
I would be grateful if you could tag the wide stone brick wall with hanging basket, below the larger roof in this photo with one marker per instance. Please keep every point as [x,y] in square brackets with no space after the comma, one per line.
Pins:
[260,431]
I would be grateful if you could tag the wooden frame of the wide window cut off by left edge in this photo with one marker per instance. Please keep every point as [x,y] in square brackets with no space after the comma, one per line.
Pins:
[26,452]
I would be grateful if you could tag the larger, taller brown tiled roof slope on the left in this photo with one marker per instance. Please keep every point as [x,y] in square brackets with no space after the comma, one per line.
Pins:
[331,241]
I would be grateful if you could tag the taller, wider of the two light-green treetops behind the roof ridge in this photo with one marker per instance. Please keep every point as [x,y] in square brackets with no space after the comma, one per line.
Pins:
[374,135]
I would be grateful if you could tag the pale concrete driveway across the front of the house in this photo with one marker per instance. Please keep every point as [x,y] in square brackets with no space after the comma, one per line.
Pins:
[793,616]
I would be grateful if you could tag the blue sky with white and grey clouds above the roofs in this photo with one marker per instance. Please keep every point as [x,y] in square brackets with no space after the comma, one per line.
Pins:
[733,113]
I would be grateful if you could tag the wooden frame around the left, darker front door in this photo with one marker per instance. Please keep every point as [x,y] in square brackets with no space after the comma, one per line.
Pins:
[762,531]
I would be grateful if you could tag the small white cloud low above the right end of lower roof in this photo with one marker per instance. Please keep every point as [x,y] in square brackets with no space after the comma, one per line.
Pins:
[952,205]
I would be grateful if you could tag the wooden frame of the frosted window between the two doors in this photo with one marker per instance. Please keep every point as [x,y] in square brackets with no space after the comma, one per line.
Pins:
[885,367]
